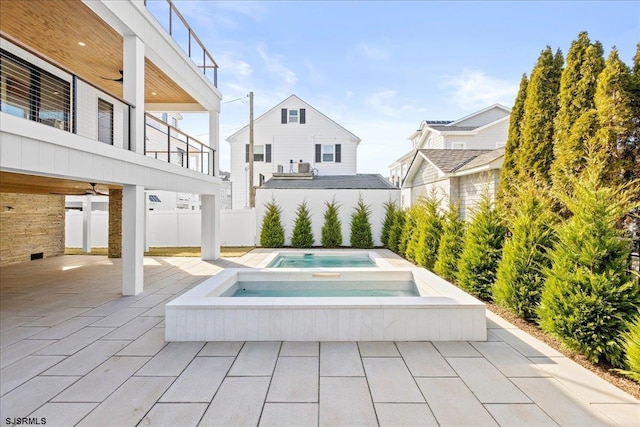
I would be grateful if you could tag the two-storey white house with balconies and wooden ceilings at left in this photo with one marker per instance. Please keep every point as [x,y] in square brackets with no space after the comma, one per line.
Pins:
[75,101]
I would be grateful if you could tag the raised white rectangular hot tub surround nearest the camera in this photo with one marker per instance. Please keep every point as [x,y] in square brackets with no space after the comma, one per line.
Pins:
[441,312]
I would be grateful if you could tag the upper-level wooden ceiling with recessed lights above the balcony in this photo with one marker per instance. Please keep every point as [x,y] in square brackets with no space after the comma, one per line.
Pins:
[53,28]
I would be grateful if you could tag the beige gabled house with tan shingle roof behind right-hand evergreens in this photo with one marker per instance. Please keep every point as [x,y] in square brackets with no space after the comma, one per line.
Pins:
[458,175]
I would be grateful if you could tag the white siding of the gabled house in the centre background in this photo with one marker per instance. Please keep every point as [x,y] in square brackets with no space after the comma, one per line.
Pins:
[290,141]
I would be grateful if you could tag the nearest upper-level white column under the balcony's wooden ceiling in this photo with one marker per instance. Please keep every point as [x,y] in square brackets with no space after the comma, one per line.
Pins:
[133,88]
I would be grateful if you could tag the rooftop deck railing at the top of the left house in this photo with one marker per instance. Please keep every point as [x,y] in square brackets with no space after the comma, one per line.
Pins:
[168,15]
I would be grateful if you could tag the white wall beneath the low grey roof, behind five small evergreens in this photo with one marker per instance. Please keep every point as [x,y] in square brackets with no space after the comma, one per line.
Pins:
[289,199]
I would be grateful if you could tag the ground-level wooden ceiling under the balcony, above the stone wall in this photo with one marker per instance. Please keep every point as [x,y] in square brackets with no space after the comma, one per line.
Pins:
[33,184]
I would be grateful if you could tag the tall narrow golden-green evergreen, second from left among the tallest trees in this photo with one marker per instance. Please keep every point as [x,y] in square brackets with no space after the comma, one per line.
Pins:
[540,107]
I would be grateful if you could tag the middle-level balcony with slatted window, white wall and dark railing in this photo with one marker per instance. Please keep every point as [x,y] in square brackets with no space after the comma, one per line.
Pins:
[42,91]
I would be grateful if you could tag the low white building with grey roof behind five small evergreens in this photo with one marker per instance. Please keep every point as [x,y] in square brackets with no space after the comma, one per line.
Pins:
[316,191]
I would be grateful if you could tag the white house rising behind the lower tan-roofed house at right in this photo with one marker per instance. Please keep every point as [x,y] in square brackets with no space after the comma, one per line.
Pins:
[486,129]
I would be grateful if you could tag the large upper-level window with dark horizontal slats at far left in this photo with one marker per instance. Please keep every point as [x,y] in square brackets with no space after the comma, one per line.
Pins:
[32,93]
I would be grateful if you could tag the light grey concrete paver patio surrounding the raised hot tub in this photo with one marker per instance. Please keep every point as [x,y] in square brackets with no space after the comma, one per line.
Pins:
[74,351]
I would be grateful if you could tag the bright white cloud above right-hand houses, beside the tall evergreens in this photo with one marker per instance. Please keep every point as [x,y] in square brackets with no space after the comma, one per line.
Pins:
[474,89]
